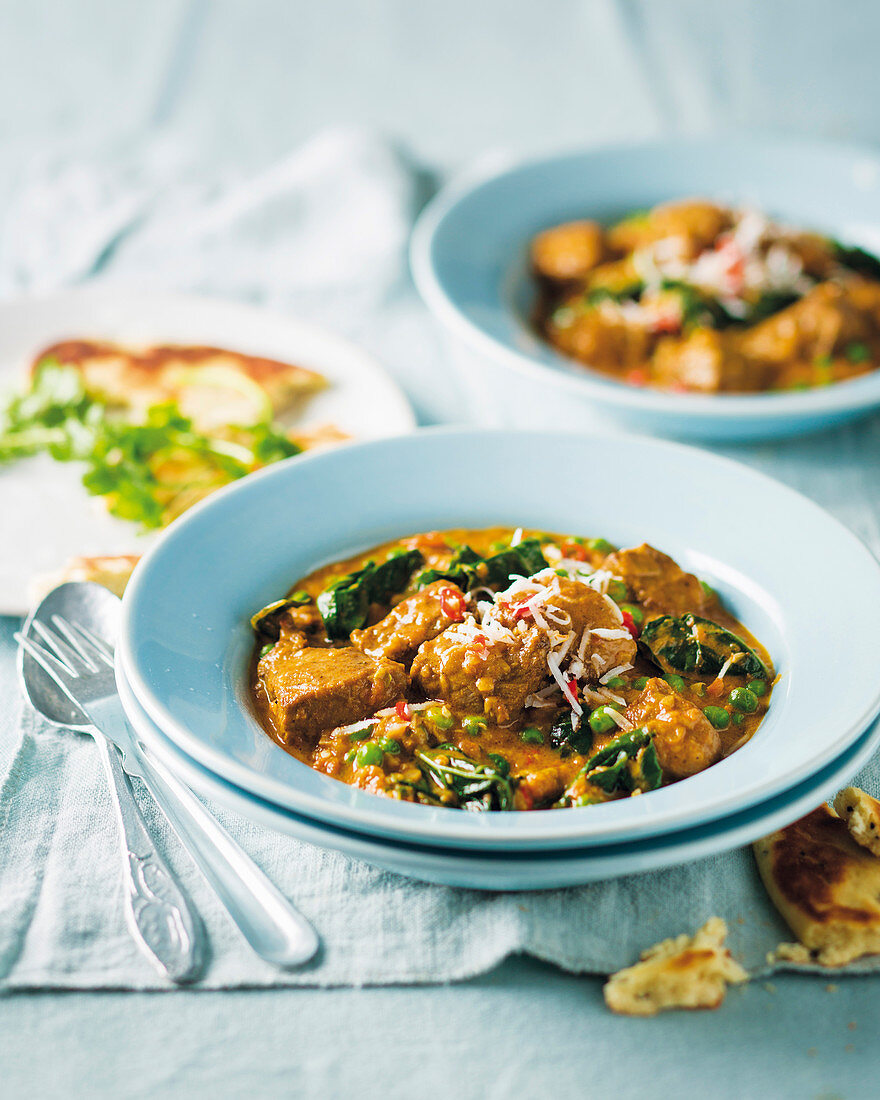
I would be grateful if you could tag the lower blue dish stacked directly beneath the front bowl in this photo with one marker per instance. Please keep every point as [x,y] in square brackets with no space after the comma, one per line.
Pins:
[493,871]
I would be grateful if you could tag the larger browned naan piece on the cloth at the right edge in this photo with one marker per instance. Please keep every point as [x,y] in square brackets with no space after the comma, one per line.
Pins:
[826,886]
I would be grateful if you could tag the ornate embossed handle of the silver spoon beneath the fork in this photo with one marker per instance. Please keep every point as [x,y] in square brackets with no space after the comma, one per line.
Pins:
[157,910]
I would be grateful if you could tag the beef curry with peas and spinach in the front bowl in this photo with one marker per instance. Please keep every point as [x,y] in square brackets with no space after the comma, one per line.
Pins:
[508,670]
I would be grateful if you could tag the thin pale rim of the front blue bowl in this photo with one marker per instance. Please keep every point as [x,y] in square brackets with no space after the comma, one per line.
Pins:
[371,813]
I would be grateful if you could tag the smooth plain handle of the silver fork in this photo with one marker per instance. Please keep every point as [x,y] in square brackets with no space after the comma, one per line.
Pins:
[276,931]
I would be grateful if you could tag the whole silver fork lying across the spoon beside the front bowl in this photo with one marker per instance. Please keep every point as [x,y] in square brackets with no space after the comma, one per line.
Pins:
[82,665]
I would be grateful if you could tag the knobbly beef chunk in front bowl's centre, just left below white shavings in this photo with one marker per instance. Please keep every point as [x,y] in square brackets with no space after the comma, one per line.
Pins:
[477,676]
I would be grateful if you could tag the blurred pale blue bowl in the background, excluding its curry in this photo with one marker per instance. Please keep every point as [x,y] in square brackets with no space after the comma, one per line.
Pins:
[469,258]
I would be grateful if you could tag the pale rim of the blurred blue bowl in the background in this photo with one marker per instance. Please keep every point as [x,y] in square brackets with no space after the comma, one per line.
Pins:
[861,393]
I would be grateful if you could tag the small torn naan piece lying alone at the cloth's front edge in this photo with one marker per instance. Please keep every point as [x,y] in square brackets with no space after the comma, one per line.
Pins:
[685,973]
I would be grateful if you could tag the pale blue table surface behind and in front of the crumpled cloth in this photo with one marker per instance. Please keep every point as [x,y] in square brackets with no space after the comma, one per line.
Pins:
[246,83]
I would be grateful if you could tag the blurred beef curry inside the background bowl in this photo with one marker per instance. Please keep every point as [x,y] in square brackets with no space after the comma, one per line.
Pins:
[697,298]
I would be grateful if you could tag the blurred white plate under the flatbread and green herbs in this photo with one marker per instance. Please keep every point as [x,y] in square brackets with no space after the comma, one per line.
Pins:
[48,515]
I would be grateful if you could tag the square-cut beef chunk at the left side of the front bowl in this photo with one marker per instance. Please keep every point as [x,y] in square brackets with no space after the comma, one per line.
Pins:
[312,690]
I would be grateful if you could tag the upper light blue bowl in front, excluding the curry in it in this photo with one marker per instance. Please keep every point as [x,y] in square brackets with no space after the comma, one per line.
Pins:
[797,578]
